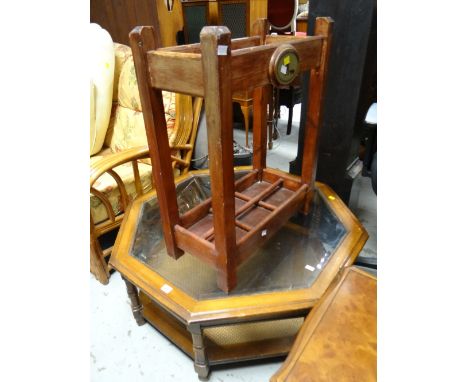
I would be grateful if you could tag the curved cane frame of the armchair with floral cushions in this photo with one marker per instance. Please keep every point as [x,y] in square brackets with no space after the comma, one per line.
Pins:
[125,168]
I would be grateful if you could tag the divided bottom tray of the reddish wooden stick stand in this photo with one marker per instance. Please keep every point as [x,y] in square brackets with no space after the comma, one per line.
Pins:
[263,204]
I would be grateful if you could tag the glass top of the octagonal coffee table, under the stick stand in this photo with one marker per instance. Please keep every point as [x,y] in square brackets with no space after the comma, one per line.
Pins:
[293,258]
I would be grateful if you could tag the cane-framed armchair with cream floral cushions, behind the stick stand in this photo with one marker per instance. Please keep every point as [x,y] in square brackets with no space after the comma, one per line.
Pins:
[121,169]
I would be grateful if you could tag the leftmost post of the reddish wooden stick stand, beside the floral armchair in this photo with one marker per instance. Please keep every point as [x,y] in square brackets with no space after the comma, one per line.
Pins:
[142,40]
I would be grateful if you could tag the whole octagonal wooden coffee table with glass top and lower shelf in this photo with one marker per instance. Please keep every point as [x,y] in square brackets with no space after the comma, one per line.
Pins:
[276,288]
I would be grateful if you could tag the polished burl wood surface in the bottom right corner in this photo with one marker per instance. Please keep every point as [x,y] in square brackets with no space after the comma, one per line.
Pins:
[338,341]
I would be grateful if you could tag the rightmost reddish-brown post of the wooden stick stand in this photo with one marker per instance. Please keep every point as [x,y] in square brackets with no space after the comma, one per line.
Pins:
[323,27]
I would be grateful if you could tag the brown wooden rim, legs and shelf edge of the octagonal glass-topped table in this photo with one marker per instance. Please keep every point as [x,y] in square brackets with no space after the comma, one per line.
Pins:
[183,319]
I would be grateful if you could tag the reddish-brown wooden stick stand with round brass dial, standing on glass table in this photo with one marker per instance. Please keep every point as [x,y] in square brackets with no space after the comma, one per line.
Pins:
[240,216]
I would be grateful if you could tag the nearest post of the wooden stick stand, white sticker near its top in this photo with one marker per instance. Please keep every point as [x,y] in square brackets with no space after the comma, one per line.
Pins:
[216,62]
